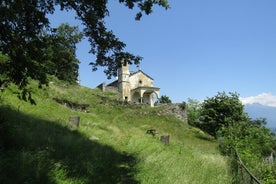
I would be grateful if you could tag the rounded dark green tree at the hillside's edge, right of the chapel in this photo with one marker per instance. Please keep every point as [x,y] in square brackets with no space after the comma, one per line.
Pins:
[221,111]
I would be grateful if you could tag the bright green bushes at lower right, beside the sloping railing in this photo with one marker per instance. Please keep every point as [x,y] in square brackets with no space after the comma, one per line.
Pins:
[253,141]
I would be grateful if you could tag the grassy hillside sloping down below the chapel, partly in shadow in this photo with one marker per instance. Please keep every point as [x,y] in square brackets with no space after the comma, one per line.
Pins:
[109,146]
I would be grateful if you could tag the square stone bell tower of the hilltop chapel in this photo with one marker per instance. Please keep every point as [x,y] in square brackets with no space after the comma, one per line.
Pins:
[123,80]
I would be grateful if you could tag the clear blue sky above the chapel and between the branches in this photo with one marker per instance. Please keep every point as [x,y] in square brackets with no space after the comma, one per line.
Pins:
[197,48]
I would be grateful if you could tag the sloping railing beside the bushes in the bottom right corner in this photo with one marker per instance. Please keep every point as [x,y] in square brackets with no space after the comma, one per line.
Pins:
[243,175]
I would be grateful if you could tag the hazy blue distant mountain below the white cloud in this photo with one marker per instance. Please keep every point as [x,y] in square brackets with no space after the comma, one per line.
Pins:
[257,110]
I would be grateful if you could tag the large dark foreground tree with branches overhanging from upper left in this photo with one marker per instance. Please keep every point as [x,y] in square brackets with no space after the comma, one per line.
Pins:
[22,24]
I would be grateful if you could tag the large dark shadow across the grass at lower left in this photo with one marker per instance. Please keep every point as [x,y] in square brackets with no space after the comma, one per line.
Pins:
[33,150]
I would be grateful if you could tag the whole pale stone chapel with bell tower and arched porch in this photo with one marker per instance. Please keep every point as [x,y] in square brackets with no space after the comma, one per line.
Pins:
[135,87]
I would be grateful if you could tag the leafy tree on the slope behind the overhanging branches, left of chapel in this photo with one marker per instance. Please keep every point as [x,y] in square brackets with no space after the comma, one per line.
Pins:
[61,52]
